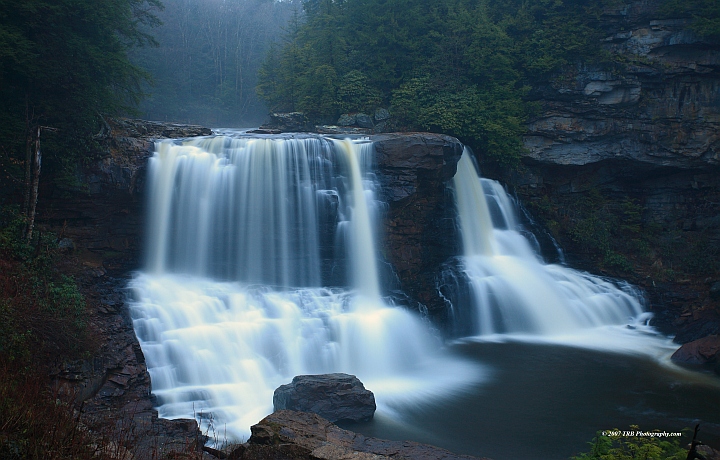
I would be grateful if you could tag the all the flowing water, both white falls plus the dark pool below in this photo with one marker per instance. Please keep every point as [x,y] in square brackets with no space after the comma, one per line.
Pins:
[262,265]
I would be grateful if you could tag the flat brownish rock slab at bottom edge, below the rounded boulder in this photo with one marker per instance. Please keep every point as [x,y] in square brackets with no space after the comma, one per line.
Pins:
[301,435]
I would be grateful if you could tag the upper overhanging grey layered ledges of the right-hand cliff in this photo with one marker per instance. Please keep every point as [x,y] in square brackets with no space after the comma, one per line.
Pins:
[662,109]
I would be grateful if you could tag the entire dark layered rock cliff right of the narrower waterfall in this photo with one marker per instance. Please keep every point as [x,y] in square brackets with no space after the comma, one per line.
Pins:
[622,164]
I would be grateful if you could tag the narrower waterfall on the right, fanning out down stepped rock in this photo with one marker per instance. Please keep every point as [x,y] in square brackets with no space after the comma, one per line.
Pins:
[512,290]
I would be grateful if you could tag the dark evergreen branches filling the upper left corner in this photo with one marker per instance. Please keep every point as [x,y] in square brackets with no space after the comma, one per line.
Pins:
[62,64]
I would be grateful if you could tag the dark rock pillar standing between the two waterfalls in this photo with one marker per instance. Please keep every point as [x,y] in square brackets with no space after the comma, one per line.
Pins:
[414,170]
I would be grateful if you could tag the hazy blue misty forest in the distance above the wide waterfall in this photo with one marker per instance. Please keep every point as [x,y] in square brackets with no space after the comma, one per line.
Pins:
[205,67]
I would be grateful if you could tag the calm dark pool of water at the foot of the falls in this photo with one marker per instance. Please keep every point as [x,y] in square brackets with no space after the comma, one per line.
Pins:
[545,401]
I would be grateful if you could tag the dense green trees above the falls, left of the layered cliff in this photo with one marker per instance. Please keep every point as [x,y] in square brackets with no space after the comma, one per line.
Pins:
[461,67]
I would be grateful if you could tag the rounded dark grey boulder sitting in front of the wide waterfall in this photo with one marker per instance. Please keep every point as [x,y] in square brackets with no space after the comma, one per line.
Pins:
[332,396]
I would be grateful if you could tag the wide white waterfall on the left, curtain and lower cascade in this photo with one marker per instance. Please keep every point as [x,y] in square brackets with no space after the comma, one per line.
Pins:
[244,238]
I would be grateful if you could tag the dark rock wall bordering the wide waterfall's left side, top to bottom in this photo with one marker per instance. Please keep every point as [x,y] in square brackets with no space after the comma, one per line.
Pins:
[99,222]
